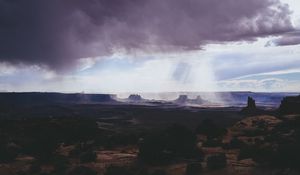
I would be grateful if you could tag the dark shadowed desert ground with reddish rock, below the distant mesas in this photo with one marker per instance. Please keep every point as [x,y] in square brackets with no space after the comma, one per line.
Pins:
[90,139]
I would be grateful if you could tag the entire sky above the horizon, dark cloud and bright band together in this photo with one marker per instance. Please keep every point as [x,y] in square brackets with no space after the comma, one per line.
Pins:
[114,46]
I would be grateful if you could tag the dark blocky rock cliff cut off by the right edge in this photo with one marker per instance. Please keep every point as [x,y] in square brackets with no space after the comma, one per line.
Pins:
[290,105]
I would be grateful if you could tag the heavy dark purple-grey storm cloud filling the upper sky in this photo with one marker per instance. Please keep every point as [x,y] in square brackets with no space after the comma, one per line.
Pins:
[56,33]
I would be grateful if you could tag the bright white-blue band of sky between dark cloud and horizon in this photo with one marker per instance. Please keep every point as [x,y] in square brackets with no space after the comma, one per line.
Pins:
[234,66]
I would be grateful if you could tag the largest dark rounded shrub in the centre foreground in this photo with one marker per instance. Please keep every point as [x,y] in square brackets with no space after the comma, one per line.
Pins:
[168,145]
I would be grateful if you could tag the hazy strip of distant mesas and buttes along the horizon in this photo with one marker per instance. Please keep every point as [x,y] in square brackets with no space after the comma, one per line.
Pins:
[237,99]
